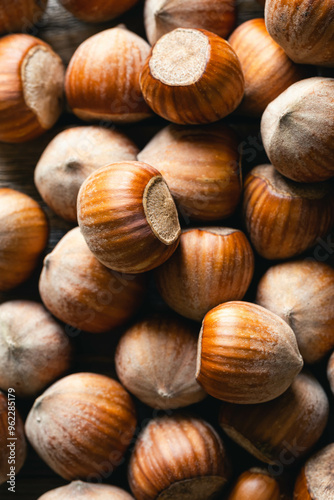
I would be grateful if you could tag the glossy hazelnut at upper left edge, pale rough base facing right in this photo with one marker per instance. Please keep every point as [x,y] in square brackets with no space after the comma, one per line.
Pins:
[31,87]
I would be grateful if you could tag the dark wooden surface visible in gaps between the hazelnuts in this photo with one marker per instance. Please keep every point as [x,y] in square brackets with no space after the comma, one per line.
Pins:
[95,352]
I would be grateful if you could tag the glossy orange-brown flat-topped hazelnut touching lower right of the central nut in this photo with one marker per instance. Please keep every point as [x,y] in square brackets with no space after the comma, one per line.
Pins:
[211,265]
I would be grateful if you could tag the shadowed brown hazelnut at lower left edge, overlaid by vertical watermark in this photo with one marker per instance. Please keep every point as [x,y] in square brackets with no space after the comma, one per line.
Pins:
[5,439]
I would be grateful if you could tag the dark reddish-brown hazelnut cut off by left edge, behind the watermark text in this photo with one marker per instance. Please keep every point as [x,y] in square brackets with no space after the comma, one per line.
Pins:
[6,440]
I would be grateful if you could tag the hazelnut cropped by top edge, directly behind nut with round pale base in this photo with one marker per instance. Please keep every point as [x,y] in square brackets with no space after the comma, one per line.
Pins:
[162,16]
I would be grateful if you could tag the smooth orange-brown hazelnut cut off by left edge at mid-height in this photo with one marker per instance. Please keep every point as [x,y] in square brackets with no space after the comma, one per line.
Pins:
[23,237]
